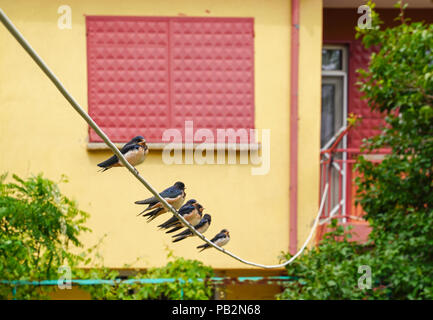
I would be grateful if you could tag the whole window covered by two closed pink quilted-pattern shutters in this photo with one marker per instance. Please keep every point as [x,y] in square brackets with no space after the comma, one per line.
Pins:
[149,74]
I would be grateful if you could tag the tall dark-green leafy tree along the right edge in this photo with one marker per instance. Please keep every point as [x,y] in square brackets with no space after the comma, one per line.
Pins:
[397,194]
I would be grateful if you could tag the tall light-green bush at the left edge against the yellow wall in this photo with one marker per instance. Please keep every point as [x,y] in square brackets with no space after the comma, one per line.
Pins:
[37,227]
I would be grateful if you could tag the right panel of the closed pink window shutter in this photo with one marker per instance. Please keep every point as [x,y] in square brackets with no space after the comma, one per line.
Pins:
[212,73]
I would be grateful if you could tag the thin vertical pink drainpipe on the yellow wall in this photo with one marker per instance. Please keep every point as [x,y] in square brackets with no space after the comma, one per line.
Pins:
[294,87]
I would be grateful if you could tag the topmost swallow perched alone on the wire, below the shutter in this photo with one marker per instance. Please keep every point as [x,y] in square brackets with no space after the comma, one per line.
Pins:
[135,151]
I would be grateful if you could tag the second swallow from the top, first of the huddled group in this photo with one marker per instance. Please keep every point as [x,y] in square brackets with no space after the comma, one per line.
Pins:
[174,195]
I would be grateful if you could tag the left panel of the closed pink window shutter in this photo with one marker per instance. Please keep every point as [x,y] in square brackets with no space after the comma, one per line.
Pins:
[128,76]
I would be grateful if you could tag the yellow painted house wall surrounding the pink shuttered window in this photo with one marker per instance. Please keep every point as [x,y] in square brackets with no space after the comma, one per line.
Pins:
[40,132]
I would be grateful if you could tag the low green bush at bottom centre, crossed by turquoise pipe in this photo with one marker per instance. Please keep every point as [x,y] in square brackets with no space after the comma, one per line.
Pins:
[179,268]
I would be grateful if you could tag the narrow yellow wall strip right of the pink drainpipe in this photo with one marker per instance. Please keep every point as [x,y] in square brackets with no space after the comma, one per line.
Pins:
[310,59]
